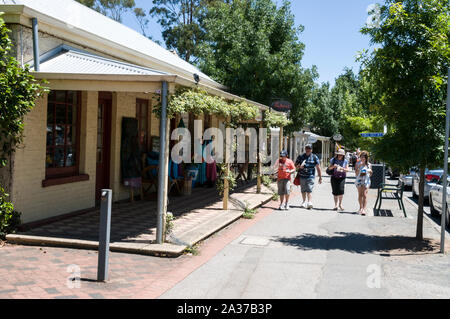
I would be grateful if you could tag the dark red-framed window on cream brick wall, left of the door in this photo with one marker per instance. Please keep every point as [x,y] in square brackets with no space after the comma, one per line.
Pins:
[63,128]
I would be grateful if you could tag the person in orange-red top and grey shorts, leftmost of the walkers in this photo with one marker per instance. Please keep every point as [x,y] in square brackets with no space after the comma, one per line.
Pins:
[285,168]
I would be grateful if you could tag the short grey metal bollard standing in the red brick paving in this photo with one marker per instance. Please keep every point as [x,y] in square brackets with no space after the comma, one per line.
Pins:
[104,235]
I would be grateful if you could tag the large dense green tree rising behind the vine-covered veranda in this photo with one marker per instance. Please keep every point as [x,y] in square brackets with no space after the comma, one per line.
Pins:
[252,47]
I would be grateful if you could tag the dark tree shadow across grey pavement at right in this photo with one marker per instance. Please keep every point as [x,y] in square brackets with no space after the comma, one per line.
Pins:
[360,243]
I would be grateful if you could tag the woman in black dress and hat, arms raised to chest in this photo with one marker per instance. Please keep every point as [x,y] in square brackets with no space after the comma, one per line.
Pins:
[339,165]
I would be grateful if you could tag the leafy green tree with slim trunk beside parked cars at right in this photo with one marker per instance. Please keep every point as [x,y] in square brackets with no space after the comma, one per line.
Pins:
[409,73]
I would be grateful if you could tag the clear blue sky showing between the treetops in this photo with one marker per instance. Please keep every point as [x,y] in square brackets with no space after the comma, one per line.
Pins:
[331,34]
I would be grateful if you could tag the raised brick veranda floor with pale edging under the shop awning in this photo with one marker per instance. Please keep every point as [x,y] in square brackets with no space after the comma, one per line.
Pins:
[133,225]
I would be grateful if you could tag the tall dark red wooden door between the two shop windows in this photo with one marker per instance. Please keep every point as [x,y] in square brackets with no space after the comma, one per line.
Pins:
[103,144]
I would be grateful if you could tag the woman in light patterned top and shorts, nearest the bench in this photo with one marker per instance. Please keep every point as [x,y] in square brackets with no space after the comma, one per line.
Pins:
[363,174]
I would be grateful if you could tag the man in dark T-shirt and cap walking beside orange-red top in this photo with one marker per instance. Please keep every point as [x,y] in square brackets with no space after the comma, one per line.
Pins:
[308,163]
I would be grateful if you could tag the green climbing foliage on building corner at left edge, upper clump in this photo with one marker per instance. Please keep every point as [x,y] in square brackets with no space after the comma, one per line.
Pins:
[18,92]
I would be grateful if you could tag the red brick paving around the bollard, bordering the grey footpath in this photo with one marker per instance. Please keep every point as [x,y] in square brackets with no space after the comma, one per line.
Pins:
[41,272]
